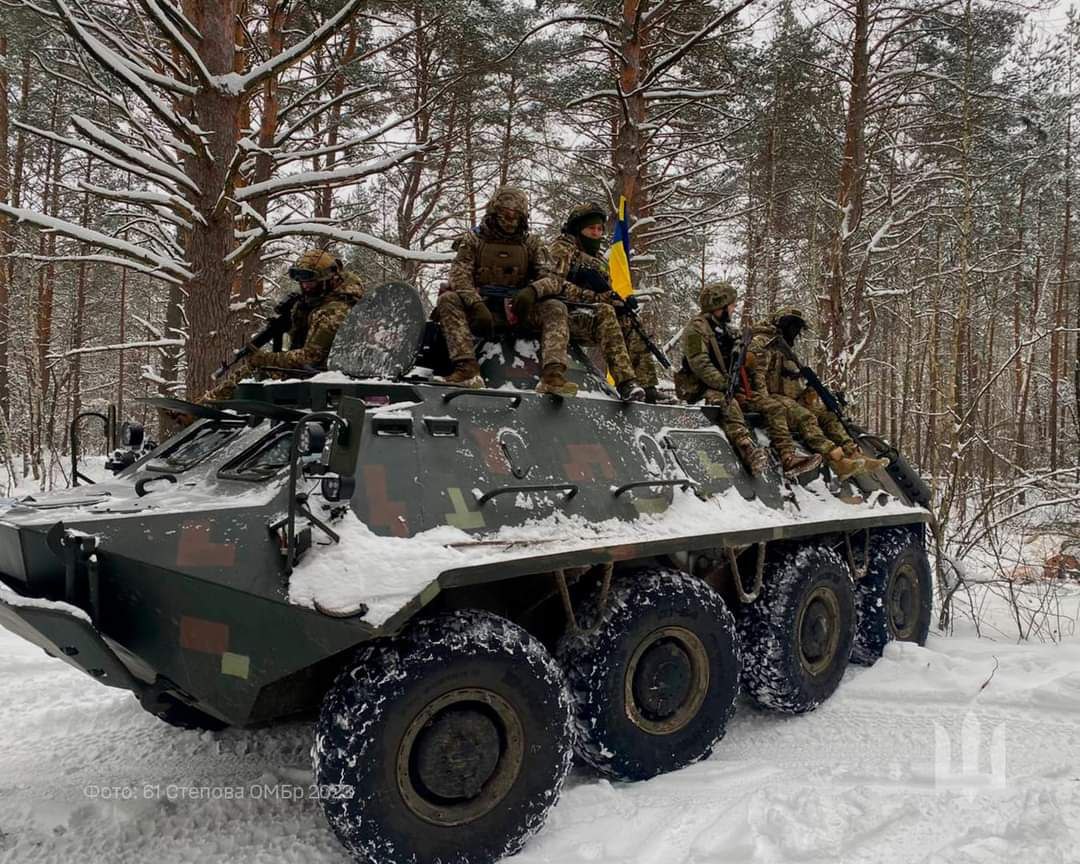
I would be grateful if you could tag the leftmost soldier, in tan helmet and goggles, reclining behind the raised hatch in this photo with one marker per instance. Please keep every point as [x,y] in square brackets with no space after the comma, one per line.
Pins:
[328,294]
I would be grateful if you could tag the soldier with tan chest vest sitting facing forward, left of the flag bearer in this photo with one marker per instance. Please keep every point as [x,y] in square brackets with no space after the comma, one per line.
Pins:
[502,252]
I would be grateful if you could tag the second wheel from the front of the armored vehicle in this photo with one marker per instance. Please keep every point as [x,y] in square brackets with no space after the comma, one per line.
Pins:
[654,676]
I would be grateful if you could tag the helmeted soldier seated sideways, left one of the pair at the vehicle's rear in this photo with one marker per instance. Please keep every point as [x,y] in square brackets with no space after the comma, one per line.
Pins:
[709,344]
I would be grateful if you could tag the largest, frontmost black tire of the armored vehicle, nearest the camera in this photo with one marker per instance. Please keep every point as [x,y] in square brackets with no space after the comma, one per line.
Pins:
[449,744]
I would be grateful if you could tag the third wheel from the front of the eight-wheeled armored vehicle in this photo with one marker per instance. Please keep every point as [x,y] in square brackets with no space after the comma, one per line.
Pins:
[796,637]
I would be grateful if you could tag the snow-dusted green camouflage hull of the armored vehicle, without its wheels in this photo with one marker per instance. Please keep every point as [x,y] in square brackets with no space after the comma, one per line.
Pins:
[186,589]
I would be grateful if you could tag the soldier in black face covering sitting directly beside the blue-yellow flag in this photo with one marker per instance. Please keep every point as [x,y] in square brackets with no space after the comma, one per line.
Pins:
[596,326]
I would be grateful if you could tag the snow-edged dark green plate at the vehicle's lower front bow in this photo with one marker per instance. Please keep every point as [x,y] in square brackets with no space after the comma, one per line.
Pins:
[65,632]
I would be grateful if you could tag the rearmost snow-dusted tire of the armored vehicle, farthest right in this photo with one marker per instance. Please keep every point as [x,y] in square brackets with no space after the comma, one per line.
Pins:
[895,600]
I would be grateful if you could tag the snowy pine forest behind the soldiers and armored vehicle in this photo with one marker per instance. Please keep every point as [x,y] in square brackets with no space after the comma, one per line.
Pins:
[901,170]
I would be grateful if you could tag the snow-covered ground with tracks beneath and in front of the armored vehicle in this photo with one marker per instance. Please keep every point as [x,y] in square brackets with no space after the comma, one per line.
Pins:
[965,752]
